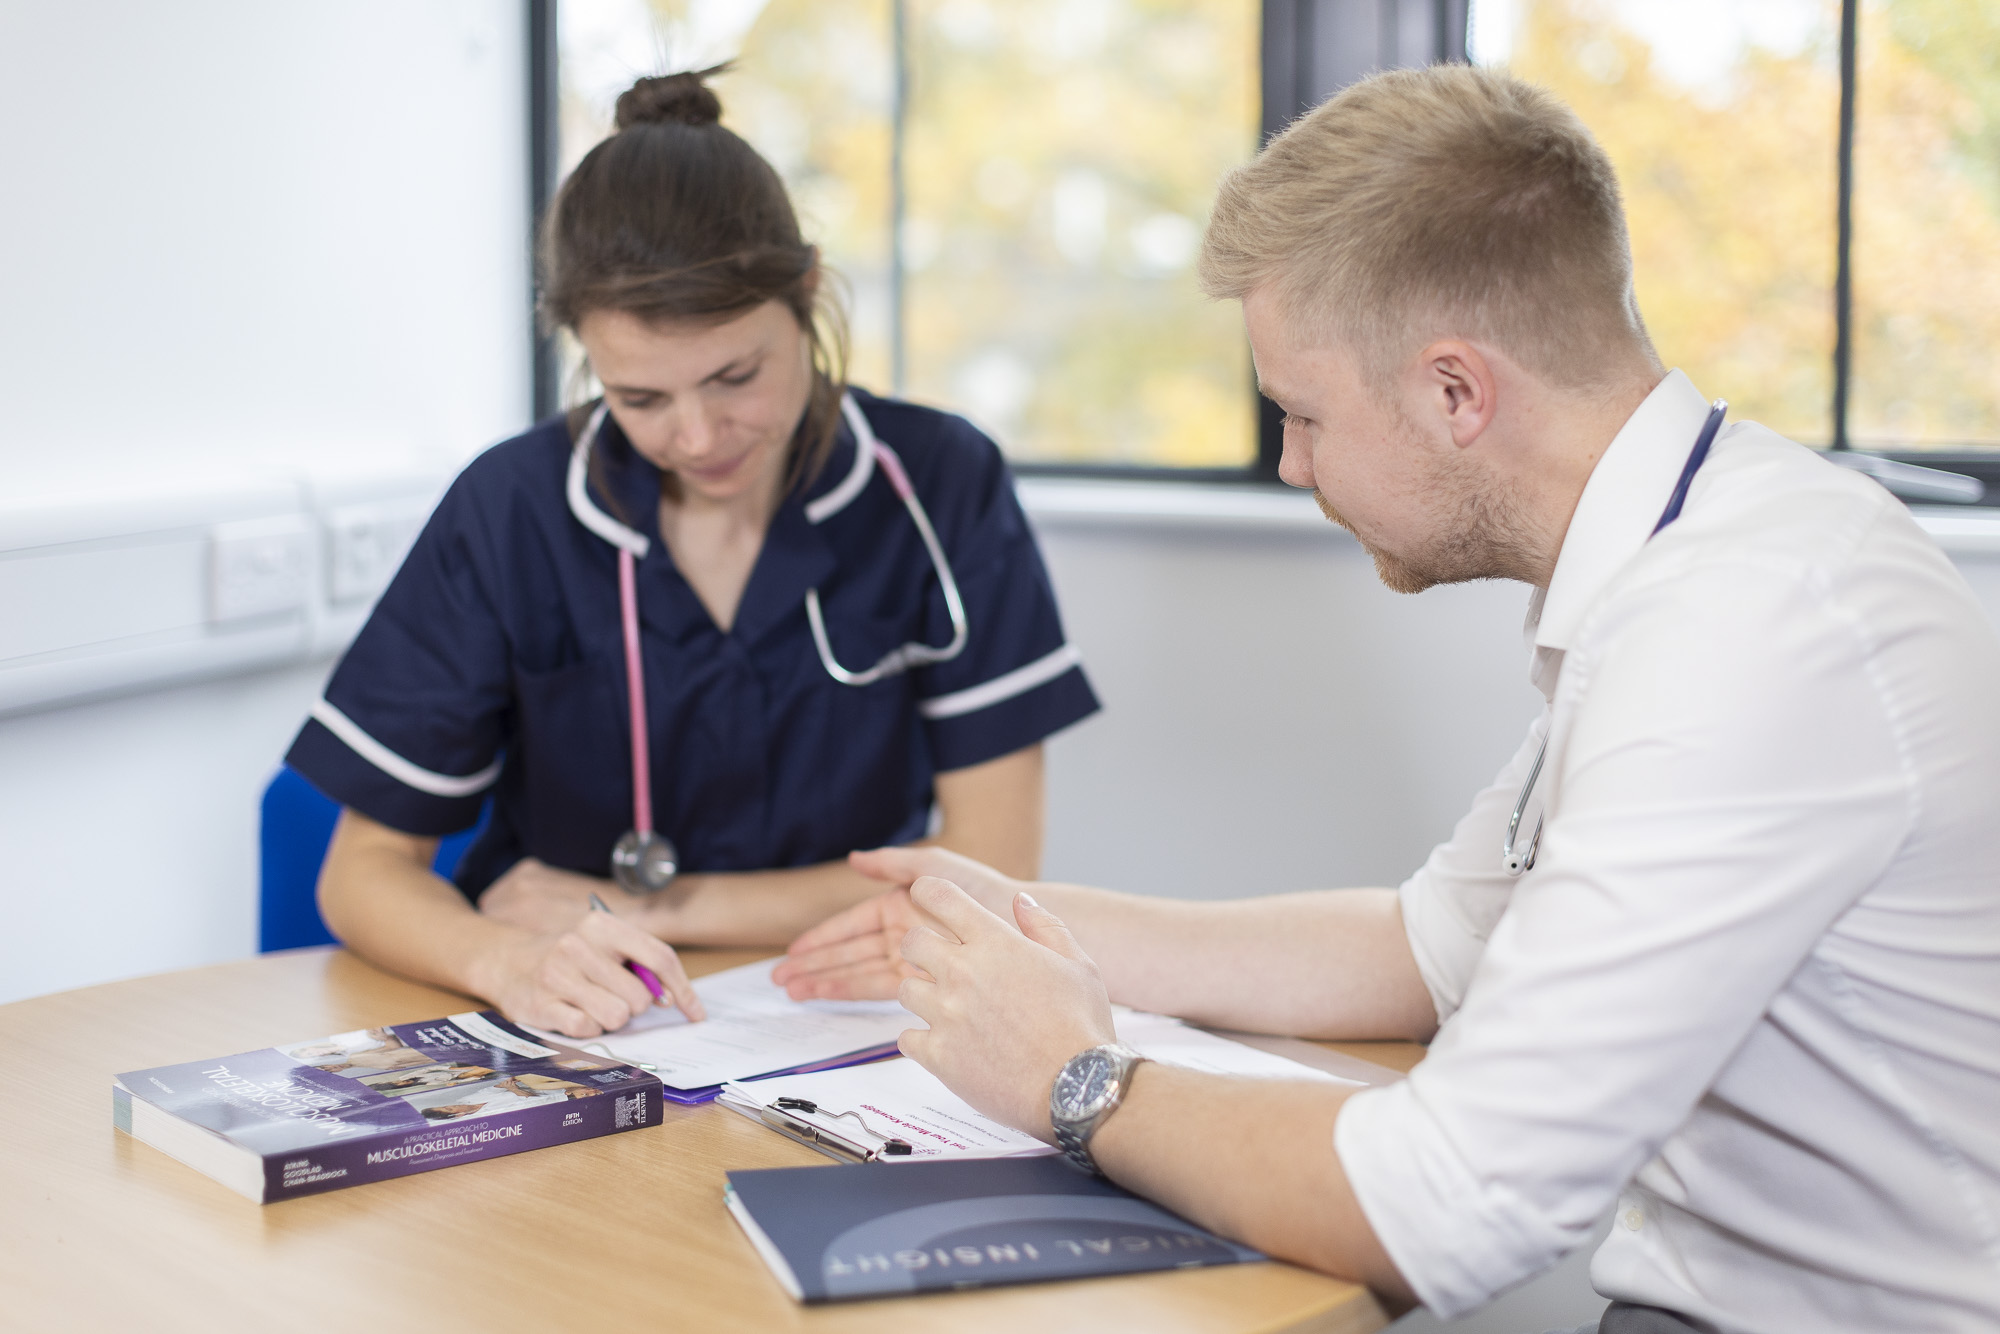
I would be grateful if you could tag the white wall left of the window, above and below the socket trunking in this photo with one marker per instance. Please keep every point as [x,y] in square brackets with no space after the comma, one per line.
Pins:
[243,243]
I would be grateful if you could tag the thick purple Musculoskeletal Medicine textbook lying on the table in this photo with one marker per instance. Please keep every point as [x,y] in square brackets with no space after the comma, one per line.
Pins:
[377,1103]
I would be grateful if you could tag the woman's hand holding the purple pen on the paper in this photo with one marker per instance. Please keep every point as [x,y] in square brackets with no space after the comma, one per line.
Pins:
[577,983]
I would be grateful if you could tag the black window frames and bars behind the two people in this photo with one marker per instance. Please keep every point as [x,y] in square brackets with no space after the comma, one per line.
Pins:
[1311,49]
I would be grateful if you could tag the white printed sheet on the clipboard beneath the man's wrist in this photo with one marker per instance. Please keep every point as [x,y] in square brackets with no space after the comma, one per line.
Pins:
[899,1099]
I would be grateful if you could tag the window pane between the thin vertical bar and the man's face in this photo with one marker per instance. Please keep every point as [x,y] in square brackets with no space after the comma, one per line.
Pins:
[1063,157]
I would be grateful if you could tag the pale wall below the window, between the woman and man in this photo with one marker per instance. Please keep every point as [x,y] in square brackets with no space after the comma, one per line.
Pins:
[1275,719]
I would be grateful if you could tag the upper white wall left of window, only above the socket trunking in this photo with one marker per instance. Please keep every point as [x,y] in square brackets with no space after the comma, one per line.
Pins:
[247,233]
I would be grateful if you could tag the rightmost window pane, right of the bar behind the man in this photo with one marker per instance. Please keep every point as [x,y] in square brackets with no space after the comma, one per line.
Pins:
[1927,225]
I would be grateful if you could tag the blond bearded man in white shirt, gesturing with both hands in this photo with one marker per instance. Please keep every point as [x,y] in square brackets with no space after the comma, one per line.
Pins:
[1745,989]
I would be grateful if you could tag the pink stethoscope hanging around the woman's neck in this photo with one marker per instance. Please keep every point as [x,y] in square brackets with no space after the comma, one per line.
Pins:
[645,861]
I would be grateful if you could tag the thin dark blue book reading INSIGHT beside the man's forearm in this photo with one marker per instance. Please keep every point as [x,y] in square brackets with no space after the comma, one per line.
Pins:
[863,1231]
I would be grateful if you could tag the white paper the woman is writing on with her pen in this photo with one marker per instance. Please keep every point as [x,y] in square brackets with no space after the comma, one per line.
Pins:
[753,1029]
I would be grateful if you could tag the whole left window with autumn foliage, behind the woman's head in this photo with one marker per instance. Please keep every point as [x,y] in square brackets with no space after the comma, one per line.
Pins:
[1047,167]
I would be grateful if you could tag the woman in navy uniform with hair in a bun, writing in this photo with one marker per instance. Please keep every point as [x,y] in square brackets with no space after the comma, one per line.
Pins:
[843,627]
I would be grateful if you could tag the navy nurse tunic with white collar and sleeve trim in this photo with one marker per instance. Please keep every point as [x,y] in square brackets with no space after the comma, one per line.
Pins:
[495,661]
